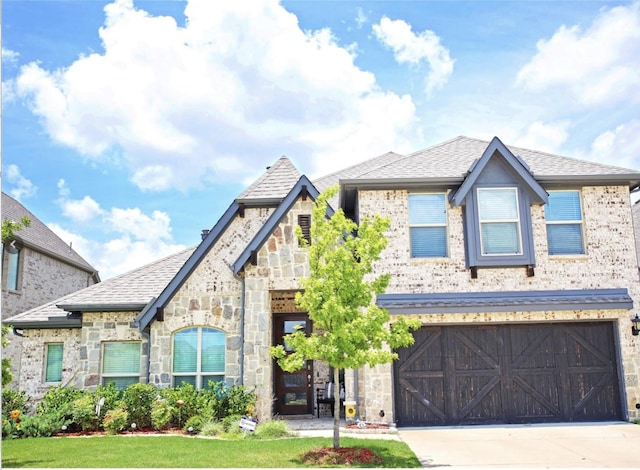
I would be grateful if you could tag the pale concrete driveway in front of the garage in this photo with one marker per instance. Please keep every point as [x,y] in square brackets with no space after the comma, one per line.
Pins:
[593,445]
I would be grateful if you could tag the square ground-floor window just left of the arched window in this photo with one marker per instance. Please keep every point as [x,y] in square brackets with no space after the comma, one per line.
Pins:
[120,363]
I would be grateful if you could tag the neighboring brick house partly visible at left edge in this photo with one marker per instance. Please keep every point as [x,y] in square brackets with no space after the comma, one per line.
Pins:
[37,266]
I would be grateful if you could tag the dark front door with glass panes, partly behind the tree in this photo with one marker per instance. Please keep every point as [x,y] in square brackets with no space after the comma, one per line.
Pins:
[294,394]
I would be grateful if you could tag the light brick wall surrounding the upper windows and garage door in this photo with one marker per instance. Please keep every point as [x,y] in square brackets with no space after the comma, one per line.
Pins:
[610,262]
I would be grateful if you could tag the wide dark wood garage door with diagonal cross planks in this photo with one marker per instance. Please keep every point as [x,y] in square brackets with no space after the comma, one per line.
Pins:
[526,373]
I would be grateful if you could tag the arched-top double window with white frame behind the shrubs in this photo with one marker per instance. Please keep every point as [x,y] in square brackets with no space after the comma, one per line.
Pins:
[198,356]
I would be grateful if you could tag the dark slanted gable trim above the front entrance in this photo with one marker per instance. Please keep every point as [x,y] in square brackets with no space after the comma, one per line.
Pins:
[303,187]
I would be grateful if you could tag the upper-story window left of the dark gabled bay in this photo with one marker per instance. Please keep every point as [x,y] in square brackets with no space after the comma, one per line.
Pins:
[428,225]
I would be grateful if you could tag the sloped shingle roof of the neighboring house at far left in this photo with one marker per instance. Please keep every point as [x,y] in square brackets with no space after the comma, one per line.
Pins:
[40,237]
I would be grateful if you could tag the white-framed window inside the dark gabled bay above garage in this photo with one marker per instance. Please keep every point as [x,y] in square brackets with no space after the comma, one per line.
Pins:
[499,218]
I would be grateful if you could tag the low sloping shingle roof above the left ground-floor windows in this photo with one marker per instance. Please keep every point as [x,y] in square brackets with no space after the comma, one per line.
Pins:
[126,292]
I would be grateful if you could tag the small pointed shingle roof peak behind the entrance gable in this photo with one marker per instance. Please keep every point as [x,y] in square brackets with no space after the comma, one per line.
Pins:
[274,184]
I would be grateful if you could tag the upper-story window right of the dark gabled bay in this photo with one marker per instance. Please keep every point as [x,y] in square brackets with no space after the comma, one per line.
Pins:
[563,214]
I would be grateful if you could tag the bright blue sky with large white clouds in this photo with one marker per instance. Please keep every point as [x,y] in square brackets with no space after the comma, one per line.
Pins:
[128,127]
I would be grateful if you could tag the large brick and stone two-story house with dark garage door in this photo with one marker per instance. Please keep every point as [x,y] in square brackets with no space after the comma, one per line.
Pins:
[521,266]
